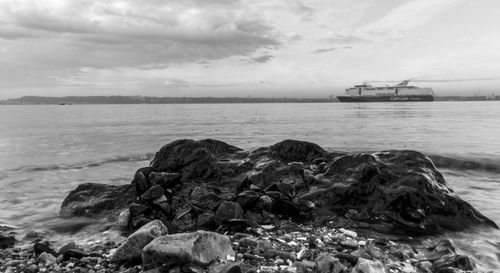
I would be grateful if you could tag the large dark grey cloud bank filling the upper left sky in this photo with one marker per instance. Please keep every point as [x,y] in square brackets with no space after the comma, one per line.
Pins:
[116,33]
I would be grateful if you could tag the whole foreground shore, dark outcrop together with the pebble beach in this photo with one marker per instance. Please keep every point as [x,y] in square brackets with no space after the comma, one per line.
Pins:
[291,207]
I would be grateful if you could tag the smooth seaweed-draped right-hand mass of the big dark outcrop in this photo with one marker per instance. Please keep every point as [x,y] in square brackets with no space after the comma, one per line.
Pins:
[402,190]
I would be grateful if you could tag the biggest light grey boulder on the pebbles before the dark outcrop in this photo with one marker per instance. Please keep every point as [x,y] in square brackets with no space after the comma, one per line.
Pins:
[201,247]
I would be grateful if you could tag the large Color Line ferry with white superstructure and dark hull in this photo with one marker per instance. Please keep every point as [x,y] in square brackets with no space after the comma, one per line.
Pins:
[399,92]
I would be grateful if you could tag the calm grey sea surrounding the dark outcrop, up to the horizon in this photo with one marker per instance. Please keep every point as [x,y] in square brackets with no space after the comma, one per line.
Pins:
[47,150]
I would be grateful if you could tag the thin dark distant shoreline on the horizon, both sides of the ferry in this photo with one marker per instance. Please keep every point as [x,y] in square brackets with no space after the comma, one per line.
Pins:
[36,100]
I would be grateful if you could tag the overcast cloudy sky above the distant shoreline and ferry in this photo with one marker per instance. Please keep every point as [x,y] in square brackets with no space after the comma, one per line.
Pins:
[260,48]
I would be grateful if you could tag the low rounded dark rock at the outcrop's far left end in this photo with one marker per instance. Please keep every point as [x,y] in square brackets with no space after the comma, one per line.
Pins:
[97,200]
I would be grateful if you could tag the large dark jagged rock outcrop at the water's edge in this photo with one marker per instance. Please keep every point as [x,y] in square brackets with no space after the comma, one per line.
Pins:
[193,184]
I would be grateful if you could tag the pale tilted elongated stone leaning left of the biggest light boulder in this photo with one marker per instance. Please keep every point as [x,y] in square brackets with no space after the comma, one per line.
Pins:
[131,249]
